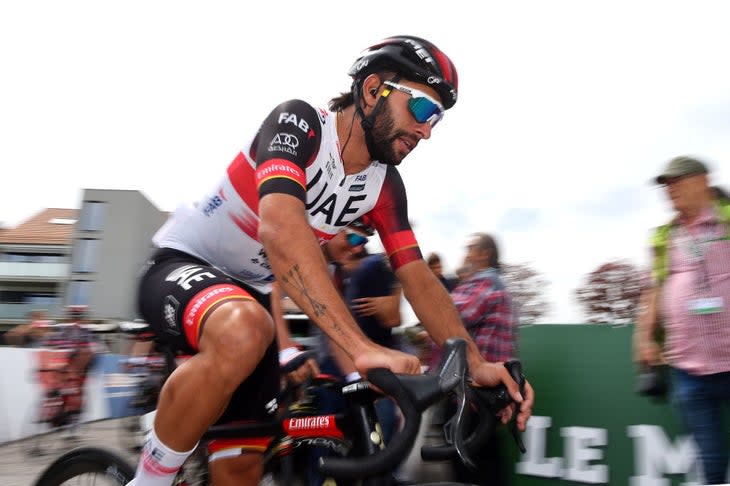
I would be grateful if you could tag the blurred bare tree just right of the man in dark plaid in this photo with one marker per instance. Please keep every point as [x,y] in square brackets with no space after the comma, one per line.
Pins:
[527,288]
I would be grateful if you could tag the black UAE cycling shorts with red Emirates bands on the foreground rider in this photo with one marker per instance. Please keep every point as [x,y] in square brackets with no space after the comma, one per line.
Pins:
[175,293]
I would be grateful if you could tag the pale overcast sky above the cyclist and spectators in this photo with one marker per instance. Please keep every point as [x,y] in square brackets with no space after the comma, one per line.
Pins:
[566,110]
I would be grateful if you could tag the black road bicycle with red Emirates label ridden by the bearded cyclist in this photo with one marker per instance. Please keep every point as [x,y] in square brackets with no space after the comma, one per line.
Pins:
[361,457]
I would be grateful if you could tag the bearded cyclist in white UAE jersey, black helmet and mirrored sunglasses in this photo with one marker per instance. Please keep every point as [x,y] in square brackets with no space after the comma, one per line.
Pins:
[304,176]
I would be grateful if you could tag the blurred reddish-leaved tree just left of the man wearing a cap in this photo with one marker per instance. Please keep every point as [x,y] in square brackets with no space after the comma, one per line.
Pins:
[611,293]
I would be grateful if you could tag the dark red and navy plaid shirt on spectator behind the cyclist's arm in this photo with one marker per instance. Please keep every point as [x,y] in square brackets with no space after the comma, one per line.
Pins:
[487,311]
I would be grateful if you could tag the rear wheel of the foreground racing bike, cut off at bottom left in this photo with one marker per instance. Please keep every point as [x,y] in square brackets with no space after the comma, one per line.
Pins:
[87,465]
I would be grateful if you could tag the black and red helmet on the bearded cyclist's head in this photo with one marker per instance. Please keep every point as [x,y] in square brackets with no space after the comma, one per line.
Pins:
[412,58]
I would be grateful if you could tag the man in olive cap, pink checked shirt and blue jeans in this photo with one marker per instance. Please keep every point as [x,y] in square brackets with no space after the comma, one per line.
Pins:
[690,296]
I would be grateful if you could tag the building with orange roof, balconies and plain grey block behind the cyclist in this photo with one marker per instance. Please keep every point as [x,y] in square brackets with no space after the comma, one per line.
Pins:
[88,256]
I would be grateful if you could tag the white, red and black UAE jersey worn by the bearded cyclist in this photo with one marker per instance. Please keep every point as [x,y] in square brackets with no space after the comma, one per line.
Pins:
[296,151]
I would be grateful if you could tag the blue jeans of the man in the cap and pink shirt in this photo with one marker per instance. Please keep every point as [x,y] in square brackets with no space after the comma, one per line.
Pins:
[700,402]
